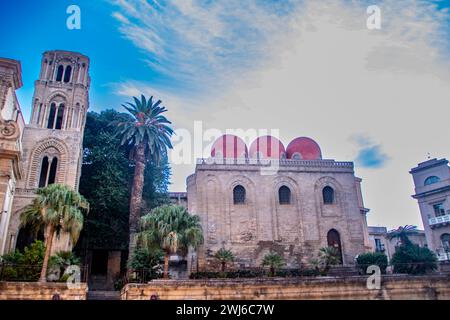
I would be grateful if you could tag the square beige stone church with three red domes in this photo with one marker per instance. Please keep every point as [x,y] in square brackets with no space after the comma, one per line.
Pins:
[271,198]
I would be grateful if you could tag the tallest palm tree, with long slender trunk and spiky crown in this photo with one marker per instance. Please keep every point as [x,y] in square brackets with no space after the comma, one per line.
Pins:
[148,134]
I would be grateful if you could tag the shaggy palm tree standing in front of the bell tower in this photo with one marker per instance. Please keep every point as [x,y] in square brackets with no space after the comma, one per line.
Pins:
[56,208]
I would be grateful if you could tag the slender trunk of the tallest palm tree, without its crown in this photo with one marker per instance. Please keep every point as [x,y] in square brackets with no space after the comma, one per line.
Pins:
[136,196]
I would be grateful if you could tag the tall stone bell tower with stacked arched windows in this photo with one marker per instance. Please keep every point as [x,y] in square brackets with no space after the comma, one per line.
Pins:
[52,141]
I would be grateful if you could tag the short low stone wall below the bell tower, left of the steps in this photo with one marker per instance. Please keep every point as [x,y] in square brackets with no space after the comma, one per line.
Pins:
[39,291]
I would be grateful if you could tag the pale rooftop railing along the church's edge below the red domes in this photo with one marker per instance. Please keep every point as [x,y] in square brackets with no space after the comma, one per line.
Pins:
[274,162]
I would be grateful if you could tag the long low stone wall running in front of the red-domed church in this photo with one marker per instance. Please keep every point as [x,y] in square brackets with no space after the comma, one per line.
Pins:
[354,288]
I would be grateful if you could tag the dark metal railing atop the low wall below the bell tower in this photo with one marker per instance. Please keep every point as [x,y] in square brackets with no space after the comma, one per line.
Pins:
[31,273]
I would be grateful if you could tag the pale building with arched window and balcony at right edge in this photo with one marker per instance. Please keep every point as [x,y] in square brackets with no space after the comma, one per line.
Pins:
[432,191]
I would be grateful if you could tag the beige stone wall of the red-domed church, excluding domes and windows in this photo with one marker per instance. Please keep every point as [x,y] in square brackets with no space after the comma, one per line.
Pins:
[296,230]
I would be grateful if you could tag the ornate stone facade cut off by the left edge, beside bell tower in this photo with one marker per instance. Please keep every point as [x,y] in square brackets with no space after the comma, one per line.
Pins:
[11,130]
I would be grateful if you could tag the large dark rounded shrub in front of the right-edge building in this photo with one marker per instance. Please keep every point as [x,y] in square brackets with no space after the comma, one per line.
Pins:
[412,259]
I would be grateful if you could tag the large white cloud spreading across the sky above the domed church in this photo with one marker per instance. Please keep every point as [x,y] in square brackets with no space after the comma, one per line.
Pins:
[320,73]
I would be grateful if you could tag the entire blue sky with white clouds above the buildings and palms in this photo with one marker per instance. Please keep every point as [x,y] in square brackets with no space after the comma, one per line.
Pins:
[305,68]
